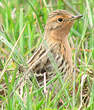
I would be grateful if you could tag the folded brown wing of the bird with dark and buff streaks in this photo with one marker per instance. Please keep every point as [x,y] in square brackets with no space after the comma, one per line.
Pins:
[40,57]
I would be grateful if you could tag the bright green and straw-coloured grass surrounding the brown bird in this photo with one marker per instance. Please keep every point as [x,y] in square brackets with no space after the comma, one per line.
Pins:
[17,44]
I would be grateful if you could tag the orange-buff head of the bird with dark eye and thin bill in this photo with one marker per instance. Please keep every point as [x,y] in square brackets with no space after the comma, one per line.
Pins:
[59,24]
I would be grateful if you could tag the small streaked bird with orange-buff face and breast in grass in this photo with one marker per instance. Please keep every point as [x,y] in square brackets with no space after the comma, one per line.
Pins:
[55,42]
